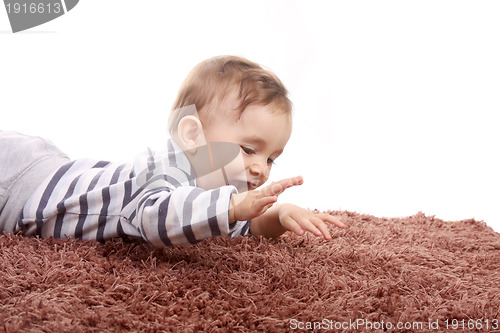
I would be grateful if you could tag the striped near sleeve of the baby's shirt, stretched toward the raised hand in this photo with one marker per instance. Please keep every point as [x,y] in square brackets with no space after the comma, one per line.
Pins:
[172,210]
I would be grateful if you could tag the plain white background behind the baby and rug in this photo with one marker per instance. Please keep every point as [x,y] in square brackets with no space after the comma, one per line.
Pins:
[396,102]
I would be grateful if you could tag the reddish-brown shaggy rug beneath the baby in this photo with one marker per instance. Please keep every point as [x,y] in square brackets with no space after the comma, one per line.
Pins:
[398,275]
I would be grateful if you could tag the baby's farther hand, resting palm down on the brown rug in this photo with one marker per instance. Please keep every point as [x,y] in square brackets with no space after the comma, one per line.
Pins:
[298,219]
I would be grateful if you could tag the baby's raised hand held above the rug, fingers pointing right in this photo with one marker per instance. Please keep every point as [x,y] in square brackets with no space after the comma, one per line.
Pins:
[248,205]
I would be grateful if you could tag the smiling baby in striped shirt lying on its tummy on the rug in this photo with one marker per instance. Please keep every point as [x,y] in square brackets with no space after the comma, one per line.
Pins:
[229,123]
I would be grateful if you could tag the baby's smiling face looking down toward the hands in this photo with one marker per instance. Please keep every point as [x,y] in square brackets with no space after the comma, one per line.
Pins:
[261,135]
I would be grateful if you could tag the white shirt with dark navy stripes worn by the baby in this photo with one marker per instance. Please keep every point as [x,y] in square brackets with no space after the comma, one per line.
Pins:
[154,199]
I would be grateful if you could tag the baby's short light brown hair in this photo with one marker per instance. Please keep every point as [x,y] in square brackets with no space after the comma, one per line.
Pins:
[214,79]
